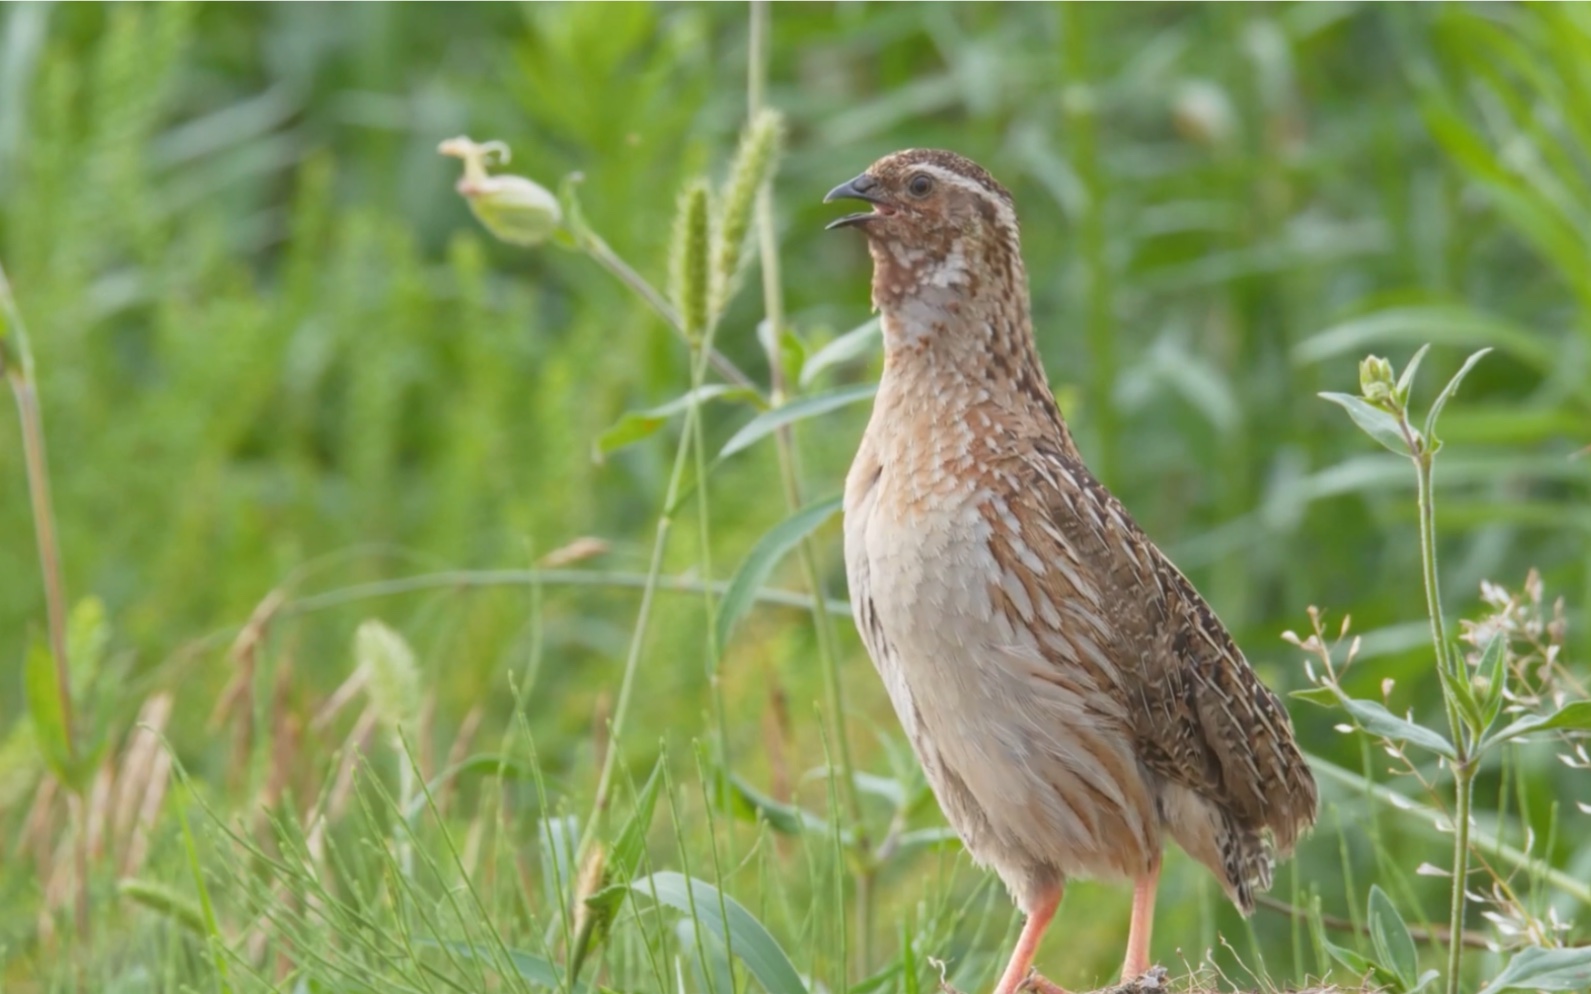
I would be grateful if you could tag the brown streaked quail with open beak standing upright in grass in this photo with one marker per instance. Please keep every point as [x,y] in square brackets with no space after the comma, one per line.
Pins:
[1072,699]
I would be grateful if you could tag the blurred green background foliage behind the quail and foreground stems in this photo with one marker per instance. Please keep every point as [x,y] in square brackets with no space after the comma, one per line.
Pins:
[276,352]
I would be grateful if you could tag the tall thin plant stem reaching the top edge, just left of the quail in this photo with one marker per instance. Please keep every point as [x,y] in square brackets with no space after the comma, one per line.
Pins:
[790,475]
